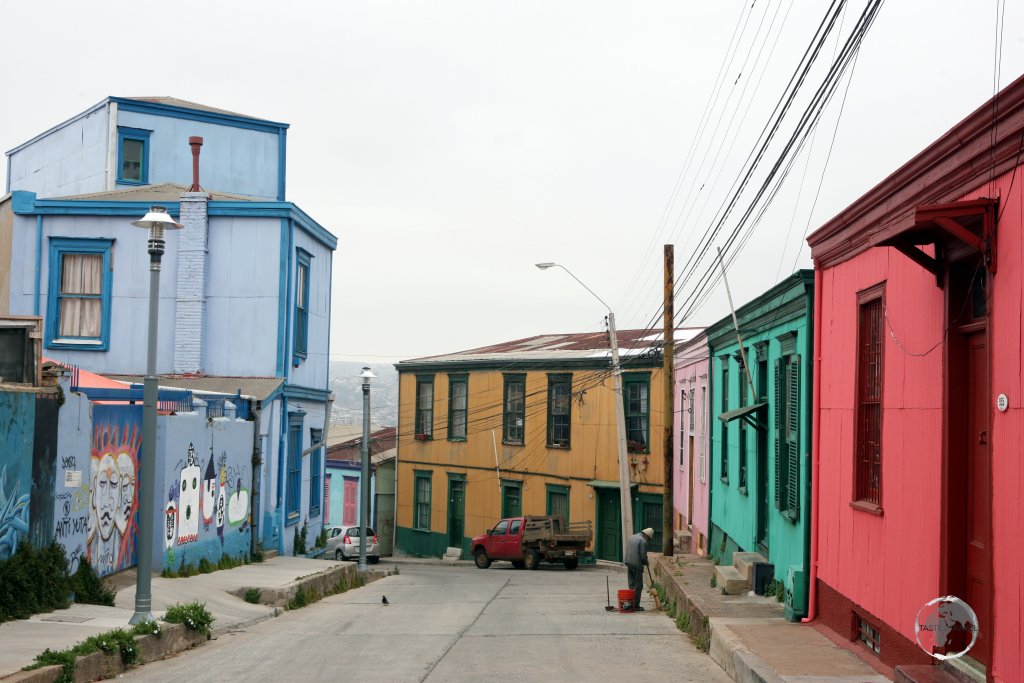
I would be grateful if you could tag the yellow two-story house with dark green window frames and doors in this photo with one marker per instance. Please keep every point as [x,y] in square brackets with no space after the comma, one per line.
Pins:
[528,428]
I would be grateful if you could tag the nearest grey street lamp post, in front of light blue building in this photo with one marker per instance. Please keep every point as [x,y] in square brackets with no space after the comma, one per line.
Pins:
[157,222]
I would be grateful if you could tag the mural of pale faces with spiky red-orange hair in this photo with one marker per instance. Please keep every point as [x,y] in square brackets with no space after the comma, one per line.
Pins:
[117,436]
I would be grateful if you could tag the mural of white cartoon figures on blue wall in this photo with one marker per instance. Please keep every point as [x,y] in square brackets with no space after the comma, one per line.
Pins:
[206,503]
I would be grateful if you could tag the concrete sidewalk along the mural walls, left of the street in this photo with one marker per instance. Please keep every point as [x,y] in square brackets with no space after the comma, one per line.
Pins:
[23,641]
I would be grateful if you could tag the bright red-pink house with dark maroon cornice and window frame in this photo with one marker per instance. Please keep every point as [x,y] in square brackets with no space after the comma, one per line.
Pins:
[919,399]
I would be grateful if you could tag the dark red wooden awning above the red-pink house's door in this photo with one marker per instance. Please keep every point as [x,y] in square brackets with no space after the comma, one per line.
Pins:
[954,231]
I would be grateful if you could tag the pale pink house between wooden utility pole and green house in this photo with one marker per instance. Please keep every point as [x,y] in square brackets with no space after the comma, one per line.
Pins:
[691,448]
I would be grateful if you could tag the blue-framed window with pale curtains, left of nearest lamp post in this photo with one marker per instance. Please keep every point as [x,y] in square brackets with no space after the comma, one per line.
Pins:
[78,311]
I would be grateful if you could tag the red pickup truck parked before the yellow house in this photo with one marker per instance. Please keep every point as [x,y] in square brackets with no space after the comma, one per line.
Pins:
[528,541]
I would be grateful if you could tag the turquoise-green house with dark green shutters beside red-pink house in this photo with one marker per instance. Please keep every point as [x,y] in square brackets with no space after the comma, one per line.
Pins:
[761,440]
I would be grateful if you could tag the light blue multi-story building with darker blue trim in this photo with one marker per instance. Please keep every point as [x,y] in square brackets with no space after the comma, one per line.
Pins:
[245,287]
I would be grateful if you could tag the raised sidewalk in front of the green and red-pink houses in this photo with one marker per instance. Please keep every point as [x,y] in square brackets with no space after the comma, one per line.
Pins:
[748,636]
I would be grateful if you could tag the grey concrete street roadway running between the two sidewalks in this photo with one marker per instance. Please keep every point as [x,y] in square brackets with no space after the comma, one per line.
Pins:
[454,624]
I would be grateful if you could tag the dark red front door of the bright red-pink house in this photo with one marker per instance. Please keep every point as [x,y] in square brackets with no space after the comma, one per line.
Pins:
[979,488]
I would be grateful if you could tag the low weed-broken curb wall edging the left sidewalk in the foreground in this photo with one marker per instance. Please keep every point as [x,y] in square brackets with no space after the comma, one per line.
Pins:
[175,638]
